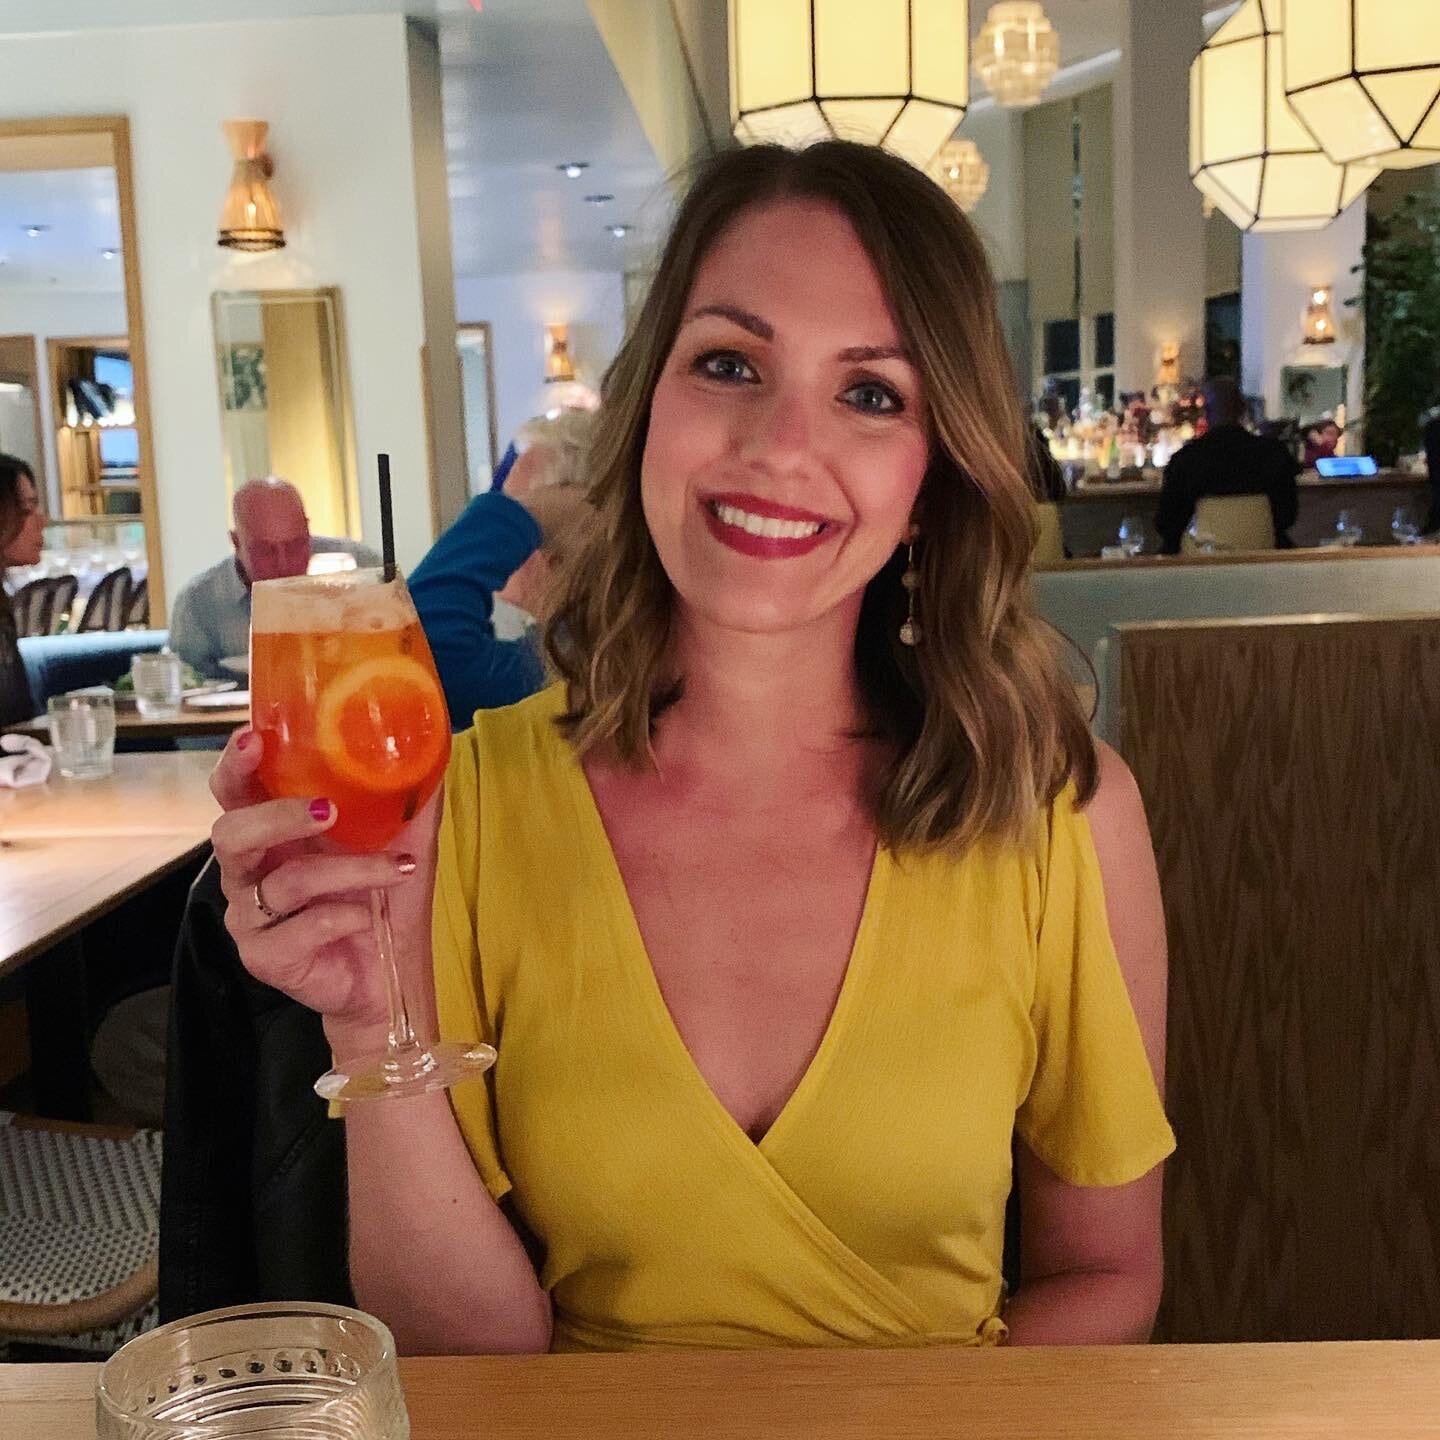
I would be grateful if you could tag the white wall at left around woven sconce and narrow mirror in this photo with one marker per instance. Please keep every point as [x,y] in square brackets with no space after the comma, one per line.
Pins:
[338,97]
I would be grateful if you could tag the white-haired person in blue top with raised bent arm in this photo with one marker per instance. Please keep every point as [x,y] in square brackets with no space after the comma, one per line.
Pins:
[502,548]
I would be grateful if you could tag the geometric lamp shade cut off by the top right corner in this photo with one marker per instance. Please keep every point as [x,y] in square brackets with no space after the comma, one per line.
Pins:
[1364,77]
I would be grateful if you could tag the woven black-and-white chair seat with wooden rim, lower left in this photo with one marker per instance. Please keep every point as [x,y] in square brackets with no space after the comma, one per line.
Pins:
[83,1246]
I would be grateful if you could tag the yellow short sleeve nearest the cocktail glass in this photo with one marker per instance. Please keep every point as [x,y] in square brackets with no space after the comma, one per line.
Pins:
[460,997]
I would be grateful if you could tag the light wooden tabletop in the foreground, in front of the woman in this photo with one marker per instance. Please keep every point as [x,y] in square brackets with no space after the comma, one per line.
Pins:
[1148,1393]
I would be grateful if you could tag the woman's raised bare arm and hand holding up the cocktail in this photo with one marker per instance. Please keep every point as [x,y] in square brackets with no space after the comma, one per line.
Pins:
[430,1251]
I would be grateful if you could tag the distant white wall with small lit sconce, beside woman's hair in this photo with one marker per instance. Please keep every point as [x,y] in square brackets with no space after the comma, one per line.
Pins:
[519,307]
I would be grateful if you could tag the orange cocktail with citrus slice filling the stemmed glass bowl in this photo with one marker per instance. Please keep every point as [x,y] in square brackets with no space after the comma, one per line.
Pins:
[345,695]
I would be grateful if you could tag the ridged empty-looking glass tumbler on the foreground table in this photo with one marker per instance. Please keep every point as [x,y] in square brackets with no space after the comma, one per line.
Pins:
[274,1372]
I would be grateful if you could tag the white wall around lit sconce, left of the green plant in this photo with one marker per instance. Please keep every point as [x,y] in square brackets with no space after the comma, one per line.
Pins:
[1279,274]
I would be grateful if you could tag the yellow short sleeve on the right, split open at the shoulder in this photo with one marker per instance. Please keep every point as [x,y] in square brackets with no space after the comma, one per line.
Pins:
[1094,1114]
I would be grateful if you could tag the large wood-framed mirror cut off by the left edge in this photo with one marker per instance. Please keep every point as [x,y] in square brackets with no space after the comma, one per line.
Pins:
[73,378]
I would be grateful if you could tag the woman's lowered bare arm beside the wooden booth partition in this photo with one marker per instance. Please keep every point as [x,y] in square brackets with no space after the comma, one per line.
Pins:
[1092,1256]
